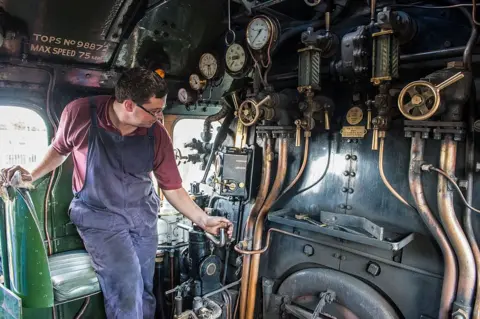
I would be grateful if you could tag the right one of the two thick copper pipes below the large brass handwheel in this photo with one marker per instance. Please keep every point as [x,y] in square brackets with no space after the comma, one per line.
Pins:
[466,263]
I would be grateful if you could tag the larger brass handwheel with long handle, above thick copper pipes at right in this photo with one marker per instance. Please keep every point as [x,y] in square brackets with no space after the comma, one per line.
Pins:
[419,100]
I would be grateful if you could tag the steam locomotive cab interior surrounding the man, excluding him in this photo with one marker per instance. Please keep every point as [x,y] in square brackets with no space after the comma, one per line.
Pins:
[338,137]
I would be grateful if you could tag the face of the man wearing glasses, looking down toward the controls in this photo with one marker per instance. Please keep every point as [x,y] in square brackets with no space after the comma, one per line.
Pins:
[146,114]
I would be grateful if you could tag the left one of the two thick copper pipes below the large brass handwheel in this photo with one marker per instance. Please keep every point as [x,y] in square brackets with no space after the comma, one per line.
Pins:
[416,188]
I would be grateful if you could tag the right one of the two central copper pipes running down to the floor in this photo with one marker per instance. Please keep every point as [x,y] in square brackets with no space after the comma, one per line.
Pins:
[259,226]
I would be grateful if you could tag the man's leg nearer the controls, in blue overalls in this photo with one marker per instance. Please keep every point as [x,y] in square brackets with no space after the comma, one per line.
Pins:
[145,243]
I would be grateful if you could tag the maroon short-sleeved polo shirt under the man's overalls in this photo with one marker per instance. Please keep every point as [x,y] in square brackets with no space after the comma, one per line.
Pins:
[72,137]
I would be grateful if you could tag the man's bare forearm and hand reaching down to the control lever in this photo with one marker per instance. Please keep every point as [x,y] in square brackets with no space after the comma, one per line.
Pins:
[182,202]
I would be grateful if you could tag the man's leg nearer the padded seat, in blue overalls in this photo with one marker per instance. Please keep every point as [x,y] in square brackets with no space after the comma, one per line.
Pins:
[118,269]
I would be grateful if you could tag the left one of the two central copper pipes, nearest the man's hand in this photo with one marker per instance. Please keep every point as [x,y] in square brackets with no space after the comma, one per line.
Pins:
[252,217]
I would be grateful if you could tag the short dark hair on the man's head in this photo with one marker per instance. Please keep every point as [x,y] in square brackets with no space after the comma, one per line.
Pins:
[139,85]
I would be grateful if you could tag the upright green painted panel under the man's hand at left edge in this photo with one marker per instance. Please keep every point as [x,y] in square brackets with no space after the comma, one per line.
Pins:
[27,258]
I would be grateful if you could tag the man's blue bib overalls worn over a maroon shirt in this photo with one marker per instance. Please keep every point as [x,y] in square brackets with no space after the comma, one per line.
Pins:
[116,213]
